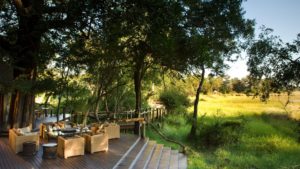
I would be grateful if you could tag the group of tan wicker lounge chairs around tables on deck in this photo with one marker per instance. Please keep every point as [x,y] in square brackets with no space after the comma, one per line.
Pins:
[71,139]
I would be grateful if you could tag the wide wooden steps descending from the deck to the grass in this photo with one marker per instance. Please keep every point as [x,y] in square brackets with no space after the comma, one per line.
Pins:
[145,154]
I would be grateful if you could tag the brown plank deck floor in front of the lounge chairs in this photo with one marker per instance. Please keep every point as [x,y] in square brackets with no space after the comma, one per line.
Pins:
[99,160]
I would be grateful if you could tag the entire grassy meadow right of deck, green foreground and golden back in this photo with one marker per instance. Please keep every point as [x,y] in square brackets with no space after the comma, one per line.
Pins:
[267,135]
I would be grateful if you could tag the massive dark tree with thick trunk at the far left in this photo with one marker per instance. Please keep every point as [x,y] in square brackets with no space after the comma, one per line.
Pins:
[25,25]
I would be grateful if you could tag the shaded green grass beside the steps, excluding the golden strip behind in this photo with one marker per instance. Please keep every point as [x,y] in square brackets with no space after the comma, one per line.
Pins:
[251,141]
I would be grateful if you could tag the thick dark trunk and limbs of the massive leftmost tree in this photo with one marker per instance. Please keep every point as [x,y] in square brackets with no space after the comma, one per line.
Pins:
[24,52]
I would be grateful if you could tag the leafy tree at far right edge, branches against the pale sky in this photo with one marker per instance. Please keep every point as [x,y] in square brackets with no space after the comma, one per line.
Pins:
[274,63]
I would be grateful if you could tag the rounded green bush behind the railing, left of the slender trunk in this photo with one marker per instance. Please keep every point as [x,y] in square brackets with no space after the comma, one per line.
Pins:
[174,100]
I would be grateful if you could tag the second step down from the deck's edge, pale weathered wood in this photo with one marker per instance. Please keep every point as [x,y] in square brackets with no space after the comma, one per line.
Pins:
[143,160]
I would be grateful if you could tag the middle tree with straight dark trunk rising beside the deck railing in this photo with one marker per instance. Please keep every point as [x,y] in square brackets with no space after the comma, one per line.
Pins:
[146,33]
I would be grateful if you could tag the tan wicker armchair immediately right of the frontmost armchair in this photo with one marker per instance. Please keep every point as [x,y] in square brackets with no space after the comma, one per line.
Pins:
[96,143]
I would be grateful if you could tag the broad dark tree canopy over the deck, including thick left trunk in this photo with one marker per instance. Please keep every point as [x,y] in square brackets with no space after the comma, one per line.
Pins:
[109,43]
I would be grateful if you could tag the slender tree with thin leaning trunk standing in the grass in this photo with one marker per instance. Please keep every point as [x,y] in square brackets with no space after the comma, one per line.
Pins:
[215,28]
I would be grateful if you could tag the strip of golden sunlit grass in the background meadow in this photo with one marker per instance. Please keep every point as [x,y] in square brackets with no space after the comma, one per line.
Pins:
[233,105]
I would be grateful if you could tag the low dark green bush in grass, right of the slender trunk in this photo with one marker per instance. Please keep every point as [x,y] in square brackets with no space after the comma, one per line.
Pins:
[220,133]
